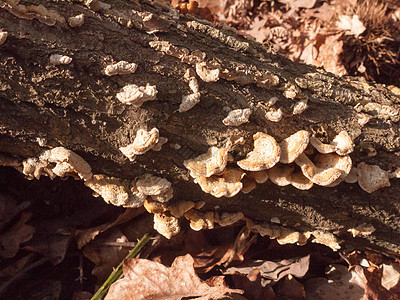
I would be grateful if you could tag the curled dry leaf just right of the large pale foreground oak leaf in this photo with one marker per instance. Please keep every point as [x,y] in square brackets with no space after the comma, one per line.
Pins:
[274,271]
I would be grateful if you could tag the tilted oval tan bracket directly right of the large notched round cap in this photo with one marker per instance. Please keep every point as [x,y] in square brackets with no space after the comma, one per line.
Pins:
[293,146]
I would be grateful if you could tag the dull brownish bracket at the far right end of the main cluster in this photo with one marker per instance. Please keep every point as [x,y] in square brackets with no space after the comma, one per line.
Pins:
[371,178]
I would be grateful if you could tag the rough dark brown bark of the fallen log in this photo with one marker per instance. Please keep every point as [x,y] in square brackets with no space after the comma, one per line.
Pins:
[74,105]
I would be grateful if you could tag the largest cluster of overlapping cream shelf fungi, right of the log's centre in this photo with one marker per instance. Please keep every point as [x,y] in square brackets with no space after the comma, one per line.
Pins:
[285,164]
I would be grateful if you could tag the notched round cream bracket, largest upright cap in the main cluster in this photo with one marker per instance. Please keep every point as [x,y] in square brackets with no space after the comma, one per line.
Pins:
[265,155]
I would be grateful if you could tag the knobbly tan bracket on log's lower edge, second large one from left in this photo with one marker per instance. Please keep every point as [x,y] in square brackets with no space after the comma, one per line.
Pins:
[116,191]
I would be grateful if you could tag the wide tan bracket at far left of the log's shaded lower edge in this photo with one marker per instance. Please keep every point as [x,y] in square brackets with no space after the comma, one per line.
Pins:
[58,161]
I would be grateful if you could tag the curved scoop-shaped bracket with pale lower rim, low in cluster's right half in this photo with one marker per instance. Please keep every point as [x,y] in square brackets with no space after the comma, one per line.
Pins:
[320,176]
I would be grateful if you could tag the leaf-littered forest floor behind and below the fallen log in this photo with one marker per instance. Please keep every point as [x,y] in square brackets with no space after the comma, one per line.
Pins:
[52,246]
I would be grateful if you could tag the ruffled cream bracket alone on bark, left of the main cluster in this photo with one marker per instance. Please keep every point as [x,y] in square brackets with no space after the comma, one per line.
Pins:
[143,142]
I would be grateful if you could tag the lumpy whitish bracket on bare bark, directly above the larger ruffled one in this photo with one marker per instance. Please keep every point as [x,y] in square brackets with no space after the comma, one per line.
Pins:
[137,95]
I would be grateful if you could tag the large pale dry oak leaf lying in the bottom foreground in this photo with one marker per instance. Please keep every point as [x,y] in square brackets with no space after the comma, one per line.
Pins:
[145,279]
